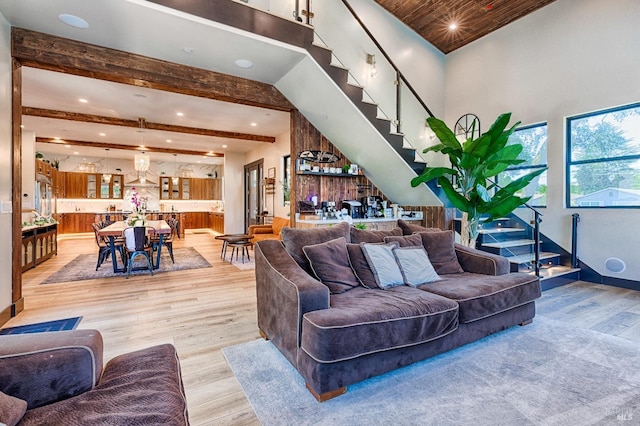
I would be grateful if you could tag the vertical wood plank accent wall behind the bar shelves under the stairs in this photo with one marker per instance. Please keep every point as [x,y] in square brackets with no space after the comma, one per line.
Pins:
[304,136]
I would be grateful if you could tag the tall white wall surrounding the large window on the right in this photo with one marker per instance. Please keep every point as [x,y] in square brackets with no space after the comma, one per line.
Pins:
[559,61]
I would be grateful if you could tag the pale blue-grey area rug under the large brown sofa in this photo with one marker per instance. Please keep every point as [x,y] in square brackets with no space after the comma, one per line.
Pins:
[543,374]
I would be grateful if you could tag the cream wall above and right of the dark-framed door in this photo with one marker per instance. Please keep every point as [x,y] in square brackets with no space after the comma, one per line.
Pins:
[272,155]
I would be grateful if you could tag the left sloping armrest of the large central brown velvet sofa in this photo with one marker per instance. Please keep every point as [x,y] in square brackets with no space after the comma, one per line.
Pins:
[285,292]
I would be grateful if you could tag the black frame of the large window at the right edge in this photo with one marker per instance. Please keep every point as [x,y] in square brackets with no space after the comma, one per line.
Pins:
[569,155]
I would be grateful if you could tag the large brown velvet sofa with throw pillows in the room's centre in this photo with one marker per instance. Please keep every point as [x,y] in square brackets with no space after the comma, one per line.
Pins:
[337,335]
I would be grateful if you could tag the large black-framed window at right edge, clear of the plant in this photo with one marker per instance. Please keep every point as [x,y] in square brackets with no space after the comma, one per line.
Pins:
[603,162]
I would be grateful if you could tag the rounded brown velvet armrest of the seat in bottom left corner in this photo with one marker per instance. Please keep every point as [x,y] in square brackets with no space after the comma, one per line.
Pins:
[42,368]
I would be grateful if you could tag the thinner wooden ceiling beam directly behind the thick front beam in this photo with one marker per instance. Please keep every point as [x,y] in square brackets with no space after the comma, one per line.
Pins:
[113,121]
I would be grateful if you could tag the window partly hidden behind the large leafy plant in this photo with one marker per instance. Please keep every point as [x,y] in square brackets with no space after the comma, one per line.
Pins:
[534,151]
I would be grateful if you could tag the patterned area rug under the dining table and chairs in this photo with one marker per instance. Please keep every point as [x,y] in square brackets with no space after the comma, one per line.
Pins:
[84,265]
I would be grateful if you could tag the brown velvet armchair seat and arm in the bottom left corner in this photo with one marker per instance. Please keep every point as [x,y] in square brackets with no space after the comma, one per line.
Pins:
[58,378]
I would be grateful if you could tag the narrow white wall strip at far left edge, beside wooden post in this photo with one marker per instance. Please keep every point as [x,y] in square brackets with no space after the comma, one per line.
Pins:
[5,162]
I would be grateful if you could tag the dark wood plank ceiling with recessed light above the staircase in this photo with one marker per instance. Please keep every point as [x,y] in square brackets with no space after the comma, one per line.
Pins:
[473,18]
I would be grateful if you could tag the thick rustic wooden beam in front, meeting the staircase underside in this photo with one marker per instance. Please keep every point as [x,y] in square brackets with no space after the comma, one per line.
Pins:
[46,51]
